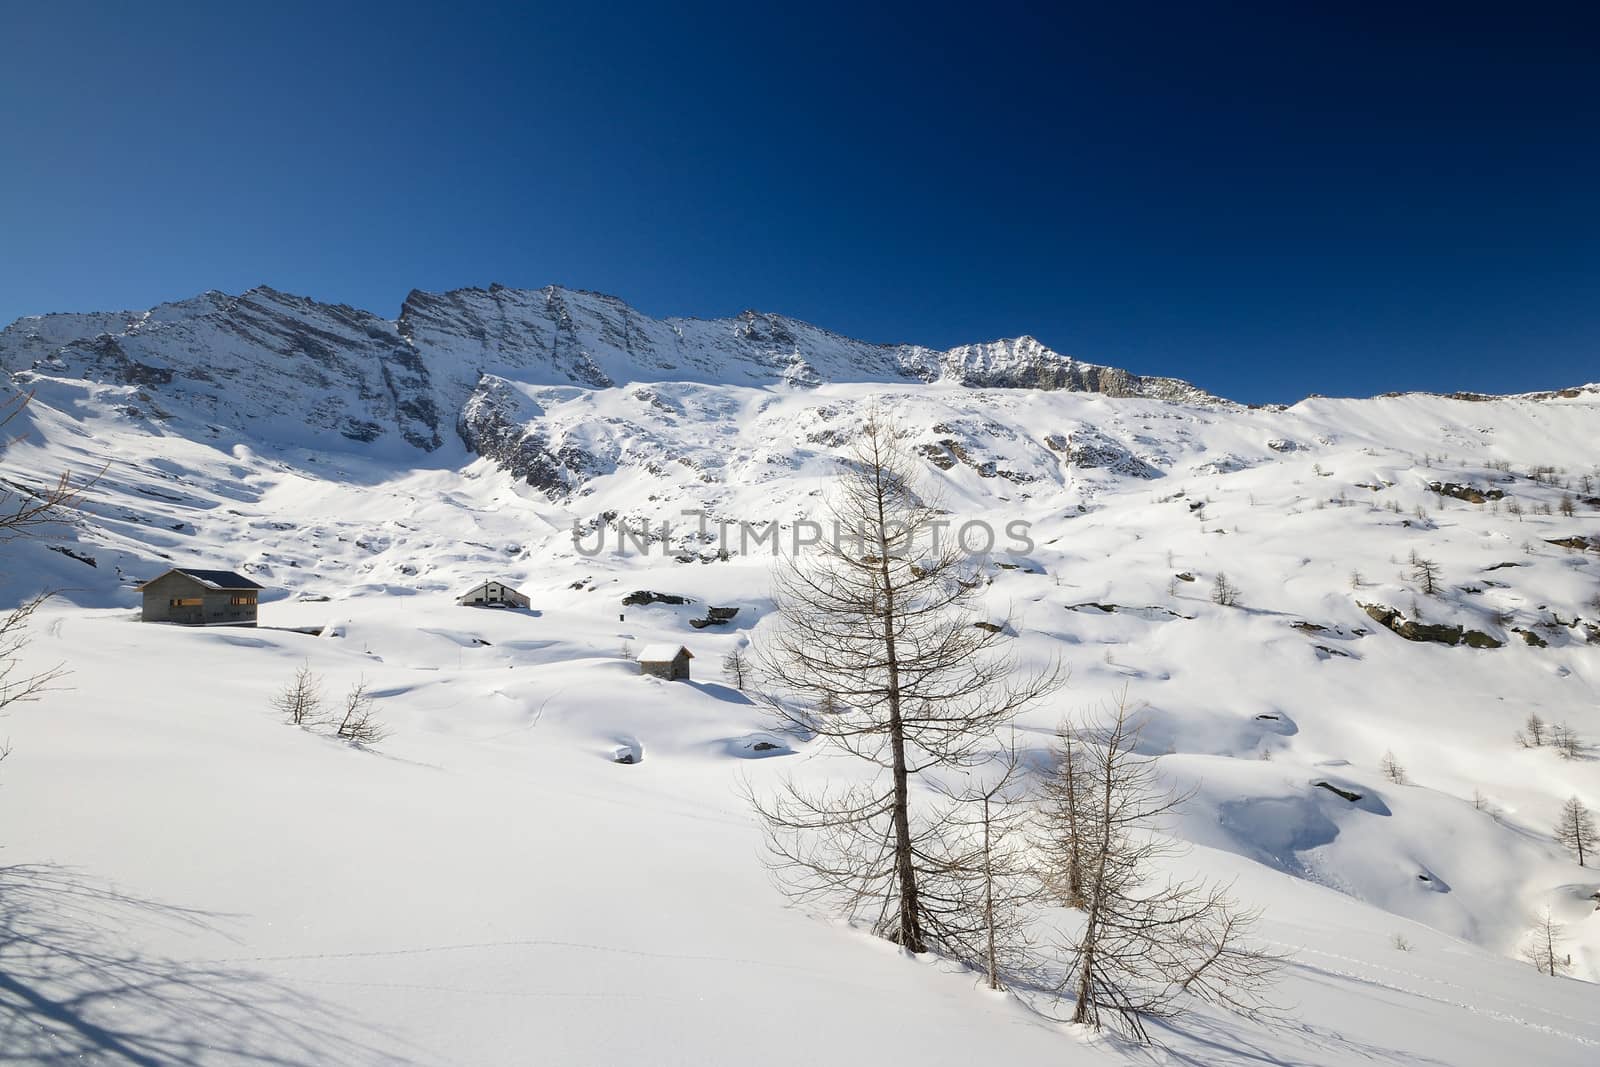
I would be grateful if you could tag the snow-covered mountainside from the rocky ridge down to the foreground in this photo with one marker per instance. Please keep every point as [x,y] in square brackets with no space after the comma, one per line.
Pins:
[188,879]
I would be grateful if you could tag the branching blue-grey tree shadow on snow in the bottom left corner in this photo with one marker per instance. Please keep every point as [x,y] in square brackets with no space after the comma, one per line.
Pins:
[76,988]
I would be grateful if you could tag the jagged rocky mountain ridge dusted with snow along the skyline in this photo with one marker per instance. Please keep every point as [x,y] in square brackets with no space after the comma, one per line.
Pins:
[273,366]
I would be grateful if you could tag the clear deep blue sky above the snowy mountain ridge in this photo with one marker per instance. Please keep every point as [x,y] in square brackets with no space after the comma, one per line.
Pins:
[1266,202]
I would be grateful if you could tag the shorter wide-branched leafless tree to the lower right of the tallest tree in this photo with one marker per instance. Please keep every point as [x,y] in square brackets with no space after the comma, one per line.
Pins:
[1151,946]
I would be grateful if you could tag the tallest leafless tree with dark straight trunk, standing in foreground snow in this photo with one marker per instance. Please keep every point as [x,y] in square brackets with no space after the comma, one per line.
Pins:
[879,621]
